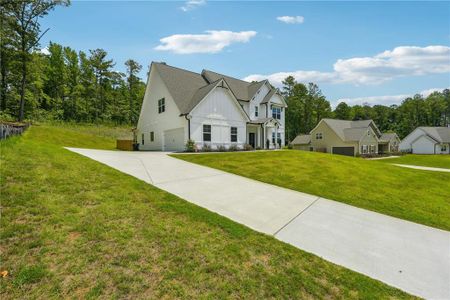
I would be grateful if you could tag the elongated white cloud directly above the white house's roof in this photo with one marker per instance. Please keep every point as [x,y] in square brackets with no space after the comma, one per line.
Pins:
[212,41]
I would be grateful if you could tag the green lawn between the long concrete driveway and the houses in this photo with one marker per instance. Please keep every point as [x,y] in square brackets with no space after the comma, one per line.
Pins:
[414,195]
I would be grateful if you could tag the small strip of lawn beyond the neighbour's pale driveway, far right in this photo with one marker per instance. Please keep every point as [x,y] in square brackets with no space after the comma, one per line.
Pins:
[437,161]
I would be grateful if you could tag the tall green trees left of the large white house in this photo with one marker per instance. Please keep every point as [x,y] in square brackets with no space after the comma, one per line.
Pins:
[60,83]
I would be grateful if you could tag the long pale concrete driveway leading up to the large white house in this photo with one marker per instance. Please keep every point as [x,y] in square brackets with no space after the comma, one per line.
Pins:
[409,256]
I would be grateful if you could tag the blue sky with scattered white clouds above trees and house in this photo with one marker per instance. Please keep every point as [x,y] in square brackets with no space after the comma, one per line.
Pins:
[374,52]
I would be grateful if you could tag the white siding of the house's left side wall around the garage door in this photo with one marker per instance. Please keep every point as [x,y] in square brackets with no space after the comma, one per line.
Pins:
[150,120]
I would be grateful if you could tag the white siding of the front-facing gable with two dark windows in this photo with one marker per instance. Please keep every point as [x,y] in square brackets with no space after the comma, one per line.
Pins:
[222,112]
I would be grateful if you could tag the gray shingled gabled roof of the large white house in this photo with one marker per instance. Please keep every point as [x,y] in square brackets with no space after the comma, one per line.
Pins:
[189,88]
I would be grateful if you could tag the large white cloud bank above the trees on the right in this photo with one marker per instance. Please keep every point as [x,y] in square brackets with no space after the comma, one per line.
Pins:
[399,62]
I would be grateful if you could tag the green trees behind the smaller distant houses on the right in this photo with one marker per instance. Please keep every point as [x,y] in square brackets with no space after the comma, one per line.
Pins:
[307,106]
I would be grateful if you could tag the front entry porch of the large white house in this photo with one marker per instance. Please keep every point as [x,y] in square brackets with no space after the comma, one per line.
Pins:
[264,134]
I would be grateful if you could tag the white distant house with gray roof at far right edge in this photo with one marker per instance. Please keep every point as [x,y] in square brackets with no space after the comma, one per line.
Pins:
[427,140]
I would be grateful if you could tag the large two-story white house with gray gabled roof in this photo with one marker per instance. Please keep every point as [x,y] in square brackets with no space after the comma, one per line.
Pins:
[208,108]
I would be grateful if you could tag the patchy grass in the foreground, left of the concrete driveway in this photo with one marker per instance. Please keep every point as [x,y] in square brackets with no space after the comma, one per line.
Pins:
[74,228]
